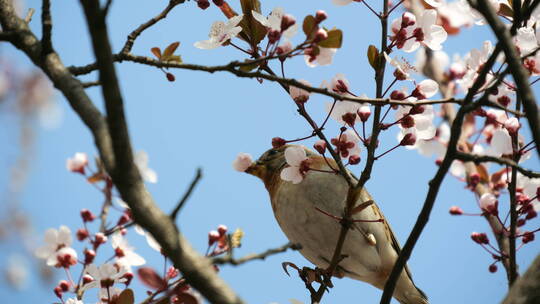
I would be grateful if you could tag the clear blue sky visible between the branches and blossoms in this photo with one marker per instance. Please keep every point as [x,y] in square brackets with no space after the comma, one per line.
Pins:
[204,120]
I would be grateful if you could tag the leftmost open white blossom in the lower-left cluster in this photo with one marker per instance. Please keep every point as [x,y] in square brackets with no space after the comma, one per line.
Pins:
[55,241]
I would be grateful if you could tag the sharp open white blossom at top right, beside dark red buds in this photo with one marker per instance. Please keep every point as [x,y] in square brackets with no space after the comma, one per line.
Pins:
[427,33]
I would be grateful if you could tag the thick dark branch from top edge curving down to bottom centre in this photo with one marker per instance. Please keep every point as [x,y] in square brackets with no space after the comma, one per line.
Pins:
[196,269]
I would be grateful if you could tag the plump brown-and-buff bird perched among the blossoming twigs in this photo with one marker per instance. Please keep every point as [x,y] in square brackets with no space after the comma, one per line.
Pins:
[303,208]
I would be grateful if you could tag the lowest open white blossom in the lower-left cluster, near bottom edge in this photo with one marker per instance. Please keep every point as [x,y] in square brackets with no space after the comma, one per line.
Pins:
[105,276]
